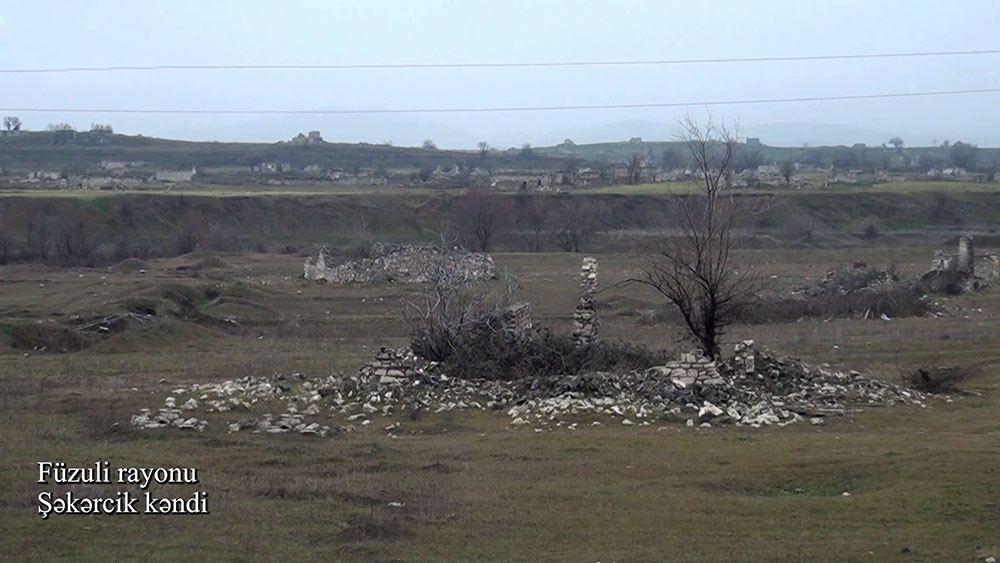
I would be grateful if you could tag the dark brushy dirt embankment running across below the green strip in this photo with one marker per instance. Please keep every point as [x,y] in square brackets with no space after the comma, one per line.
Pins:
[285,223]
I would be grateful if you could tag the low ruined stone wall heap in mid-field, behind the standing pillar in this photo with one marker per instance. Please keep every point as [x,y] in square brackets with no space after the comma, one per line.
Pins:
[402,263]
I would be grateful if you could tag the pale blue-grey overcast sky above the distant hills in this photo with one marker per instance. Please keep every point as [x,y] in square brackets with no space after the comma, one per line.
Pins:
[55,33]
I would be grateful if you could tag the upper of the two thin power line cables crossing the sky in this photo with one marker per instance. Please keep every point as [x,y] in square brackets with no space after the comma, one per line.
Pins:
[523,64]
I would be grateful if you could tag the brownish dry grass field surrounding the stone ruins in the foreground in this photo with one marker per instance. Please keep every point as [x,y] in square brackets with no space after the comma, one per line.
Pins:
[923,484]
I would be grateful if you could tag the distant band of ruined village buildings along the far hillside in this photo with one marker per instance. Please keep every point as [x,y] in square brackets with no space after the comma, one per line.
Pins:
[559,170]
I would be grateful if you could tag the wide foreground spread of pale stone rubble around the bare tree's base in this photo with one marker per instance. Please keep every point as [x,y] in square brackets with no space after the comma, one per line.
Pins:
[754,388]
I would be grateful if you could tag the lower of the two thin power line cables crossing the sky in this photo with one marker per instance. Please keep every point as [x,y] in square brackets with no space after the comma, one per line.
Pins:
[497,108]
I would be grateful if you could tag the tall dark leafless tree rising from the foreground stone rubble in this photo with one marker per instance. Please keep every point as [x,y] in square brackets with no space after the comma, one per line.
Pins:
[697,271]
